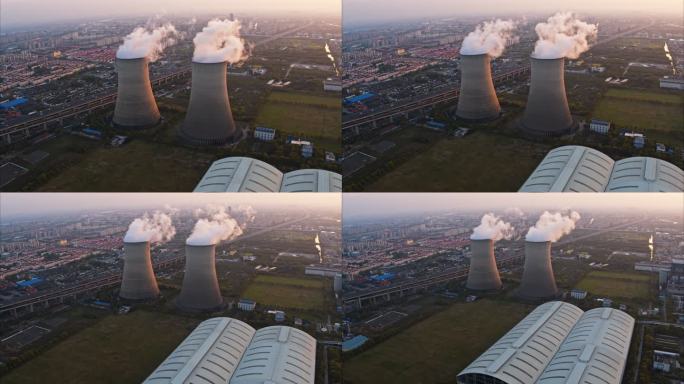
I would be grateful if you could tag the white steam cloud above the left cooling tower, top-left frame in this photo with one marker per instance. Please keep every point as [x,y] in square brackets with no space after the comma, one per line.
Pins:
[144,42]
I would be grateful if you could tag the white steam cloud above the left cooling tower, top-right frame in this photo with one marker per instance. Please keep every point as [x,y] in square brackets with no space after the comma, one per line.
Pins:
[489,37]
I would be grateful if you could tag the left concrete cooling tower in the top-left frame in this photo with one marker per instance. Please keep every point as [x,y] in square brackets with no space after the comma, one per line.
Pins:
[135,104]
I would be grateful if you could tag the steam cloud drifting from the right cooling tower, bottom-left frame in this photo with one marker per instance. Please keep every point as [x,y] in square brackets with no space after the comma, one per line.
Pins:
[218,225]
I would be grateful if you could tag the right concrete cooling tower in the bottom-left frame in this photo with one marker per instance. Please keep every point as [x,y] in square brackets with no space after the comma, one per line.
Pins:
[200,289]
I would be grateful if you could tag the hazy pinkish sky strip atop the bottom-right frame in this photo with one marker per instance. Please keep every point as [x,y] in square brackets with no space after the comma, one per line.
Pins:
[356,205]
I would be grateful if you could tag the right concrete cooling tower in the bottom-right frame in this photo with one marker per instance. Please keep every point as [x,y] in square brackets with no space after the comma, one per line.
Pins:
[538,281]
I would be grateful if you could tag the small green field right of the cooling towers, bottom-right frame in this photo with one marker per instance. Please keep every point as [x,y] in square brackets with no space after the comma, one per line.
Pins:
[615,284]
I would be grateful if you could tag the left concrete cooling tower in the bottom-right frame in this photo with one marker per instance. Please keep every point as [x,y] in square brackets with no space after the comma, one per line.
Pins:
[483,274]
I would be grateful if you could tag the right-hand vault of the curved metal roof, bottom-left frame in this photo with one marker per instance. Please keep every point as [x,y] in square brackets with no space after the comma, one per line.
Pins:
[278,355]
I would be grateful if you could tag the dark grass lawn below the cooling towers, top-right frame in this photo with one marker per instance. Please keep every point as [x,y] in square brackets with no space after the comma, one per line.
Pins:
[478,162]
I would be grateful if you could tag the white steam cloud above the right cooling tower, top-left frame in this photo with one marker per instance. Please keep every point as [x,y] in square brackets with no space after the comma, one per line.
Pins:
[219,41]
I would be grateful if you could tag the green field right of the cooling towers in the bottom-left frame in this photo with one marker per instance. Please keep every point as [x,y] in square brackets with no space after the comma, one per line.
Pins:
[288,292]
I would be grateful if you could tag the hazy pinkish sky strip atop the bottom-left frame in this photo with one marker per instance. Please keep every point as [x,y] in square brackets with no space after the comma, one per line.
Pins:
[13,204]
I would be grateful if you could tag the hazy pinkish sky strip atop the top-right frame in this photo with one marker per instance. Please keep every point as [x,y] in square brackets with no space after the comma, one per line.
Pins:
[364,12]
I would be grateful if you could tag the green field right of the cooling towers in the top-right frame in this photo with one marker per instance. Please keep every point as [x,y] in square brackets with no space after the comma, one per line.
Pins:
[658,114]
